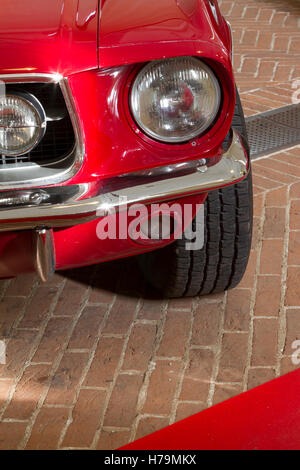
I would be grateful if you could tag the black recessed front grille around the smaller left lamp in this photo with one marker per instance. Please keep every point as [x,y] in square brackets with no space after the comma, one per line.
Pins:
[59,140]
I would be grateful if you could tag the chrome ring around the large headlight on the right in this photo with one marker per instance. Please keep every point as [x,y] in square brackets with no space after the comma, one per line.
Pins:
[199,130]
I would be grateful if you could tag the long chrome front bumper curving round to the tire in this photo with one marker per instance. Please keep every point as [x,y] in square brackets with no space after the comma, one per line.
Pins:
[72,205]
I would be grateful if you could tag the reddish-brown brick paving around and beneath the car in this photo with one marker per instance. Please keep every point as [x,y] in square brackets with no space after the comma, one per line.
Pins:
[95,361]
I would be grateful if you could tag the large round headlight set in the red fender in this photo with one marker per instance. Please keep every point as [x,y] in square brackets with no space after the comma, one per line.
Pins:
[175,100]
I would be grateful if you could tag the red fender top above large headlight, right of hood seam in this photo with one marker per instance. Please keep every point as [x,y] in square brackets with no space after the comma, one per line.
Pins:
[140,30]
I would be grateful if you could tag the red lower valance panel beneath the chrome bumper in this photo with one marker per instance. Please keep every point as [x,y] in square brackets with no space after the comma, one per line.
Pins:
[79,245]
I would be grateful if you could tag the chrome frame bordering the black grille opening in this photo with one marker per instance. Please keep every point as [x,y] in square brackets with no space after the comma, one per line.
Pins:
[58,175]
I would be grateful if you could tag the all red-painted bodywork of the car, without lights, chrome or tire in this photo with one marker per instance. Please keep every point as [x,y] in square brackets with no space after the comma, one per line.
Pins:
[98,47]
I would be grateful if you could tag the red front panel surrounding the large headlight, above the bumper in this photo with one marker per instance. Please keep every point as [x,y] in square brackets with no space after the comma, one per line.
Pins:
[113,146]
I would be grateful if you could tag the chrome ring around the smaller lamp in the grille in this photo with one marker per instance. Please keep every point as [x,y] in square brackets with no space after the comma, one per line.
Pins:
[38,111]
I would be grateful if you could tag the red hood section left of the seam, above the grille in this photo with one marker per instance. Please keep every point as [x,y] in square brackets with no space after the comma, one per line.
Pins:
[56,36]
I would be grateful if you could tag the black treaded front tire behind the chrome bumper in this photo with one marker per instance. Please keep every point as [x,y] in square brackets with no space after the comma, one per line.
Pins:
[221,263]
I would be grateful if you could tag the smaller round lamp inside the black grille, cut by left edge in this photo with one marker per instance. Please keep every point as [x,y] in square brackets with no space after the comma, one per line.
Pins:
[22,123]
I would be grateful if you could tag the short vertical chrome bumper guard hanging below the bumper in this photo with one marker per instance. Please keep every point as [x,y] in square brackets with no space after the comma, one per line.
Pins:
[44,254]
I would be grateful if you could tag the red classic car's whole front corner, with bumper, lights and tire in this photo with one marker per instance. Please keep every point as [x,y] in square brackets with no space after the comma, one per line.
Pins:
[122,133]
